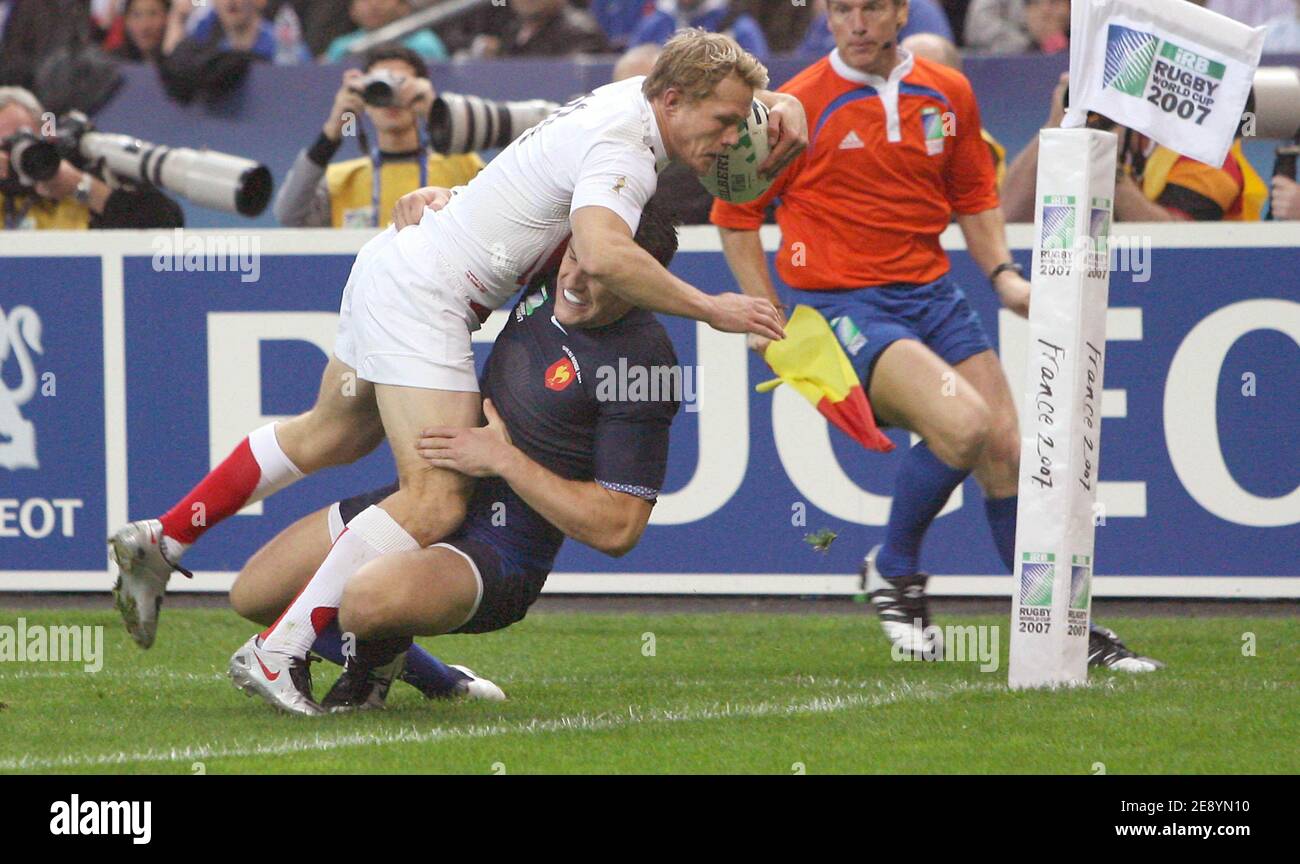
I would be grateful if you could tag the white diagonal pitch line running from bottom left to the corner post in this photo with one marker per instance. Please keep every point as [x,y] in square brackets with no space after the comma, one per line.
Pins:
[603,722]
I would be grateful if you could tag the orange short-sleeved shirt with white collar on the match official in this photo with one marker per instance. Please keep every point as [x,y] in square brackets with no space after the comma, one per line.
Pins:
[889,163]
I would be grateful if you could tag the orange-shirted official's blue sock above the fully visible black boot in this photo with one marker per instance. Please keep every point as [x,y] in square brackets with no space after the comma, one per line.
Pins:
[921,490]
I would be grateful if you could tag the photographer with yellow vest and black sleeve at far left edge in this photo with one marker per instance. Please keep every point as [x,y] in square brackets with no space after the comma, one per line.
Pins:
[64,194]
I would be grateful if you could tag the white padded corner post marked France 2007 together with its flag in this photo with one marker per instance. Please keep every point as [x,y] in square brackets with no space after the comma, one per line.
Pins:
[1181,76]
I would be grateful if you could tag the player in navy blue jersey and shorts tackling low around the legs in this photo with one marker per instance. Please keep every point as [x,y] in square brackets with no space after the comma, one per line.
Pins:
[560,457]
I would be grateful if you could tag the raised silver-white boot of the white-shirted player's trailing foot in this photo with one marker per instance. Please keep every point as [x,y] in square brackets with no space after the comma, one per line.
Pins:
[144,570]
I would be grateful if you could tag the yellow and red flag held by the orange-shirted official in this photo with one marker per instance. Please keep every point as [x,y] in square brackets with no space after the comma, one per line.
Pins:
[812,361]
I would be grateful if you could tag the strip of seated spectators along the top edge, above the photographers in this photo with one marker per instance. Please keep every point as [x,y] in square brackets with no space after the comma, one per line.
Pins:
[293,32]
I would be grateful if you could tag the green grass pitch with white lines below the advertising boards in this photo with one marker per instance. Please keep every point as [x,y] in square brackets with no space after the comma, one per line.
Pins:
[718,693]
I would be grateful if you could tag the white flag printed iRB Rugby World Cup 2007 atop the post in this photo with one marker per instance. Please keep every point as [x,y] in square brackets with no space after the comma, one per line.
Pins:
[1168,70]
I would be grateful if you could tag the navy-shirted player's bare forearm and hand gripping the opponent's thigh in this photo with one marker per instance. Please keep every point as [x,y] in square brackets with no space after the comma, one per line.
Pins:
[605,520]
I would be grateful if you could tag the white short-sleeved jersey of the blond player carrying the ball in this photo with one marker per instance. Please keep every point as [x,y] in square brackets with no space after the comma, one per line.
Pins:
[514,216]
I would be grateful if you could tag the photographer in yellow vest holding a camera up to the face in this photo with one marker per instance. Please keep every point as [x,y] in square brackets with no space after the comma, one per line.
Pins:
[395,94]
